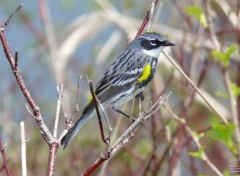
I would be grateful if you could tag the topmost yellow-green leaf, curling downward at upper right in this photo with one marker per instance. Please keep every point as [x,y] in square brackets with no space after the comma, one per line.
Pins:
[198,13]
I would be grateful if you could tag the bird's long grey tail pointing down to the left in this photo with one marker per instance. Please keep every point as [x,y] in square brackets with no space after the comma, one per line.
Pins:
[86,115]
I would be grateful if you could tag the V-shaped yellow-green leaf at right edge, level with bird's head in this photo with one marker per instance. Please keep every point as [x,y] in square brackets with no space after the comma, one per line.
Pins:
[224,57]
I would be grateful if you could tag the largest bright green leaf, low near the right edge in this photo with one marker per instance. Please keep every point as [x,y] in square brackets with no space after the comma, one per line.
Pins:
[223,133]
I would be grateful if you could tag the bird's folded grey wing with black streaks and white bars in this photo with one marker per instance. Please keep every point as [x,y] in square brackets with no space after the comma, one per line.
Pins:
[120,75]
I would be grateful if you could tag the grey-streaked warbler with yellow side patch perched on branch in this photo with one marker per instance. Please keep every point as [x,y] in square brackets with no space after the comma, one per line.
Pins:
[130,72]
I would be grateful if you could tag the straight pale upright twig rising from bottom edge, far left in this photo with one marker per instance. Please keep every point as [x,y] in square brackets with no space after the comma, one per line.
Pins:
[23,150]
